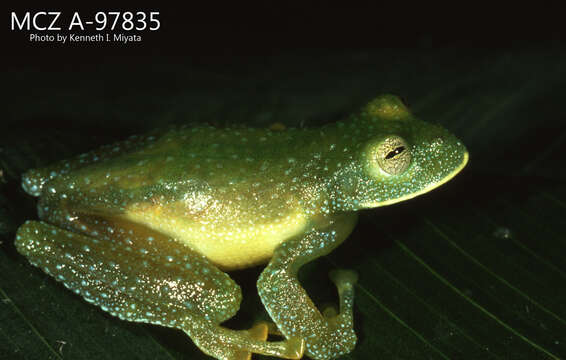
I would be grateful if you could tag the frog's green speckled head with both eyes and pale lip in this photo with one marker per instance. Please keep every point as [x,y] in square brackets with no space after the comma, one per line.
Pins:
[399,158]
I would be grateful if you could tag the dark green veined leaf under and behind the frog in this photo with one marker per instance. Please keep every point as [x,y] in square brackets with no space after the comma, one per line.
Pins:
[475,269]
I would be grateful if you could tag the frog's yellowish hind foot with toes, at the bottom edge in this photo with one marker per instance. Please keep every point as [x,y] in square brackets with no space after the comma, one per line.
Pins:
[226,344]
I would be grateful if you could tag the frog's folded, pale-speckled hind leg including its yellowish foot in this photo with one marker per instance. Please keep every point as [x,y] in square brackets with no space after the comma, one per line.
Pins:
[152,279]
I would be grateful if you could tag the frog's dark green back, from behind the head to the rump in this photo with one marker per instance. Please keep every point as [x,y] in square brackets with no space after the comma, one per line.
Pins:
[202,152]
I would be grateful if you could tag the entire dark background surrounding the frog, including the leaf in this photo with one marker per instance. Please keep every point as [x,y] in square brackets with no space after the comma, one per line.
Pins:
[472,270]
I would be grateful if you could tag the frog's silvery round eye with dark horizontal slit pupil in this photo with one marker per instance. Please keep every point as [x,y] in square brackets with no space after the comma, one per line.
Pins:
[393,155]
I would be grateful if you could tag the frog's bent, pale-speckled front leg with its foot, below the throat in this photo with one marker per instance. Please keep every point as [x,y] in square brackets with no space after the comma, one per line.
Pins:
[288,303]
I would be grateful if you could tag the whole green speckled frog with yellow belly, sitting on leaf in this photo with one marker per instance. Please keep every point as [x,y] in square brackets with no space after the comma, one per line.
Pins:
[149,228]
